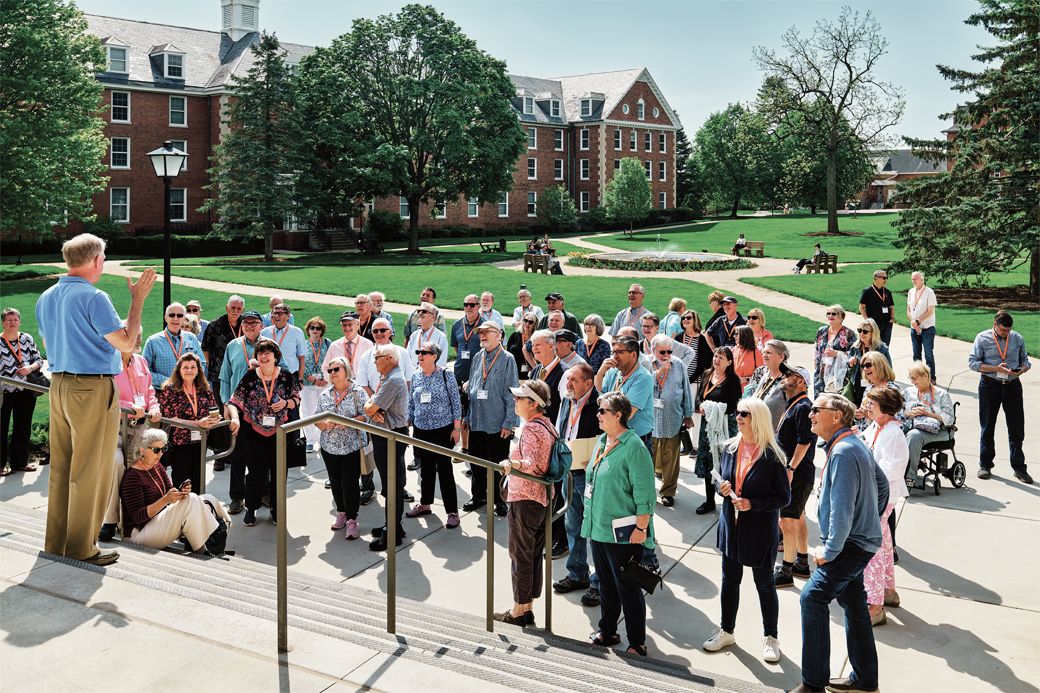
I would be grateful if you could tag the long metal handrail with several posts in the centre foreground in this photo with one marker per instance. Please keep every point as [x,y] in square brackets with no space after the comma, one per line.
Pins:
[392,514]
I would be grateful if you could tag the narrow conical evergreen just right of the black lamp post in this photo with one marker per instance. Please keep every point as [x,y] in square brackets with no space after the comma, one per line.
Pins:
[254,166]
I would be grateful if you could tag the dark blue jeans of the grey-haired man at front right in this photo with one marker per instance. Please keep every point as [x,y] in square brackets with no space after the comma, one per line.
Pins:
[842,580]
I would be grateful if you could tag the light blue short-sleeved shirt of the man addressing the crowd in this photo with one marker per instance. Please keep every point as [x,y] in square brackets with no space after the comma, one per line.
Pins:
[74,317]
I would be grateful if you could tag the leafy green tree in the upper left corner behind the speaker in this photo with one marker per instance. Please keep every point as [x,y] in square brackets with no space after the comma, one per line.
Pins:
[53,143]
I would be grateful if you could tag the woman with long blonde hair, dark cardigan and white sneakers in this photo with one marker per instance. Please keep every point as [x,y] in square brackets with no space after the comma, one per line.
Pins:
[755,485]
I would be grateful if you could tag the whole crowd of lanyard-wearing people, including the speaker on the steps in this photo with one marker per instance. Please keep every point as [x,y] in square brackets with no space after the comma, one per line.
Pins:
[625,398]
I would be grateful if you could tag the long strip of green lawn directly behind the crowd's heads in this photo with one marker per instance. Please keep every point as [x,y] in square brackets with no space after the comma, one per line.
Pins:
[402,284]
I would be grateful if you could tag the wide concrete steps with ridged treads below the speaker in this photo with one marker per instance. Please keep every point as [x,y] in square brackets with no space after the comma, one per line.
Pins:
[529,660]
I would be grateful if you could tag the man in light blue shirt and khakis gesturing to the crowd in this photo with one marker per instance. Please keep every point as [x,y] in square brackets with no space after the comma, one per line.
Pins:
[84,337]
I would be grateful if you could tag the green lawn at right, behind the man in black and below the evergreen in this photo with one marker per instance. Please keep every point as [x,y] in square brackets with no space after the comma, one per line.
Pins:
[956,322]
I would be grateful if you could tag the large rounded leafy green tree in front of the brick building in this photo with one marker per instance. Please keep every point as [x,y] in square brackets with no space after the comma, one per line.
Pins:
[427,114]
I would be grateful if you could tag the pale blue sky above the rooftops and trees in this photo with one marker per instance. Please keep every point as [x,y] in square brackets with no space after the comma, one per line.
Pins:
[699,52]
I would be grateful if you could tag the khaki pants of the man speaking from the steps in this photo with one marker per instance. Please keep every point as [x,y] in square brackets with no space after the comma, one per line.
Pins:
[84,431]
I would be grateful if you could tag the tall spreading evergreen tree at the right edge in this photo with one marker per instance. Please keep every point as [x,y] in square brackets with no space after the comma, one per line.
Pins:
[984,215]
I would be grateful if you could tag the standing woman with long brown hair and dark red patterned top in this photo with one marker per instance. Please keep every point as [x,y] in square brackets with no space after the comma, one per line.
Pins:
[186,397]
